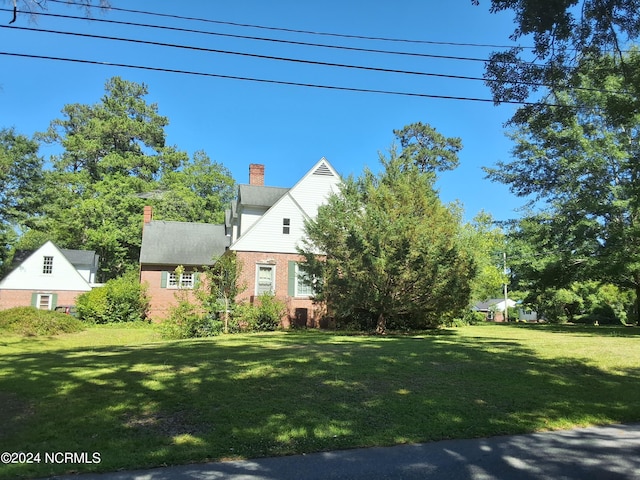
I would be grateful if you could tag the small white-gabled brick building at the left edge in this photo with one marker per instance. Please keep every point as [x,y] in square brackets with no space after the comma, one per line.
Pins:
[48,276]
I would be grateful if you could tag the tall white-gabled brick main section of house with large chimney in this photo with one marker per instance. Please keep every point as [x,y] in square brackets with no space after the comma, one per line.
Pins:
[266,225]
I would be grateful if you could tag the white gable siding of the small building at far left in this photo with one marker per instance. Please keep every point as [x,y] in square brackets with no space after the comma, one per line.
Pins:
[29,274]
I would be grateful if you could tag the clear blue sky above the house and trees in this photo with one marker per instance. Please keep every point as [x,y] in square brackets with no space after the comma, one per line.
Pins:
[286,128]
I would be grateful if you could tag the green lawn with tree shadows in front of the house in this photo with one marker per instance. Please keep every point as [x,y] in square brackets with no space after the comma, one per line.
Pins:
[142,402]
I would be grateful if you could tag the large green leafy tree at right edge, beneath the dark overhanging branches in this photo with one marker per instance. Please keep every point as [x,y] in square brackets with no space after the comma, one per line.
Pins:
[582,159]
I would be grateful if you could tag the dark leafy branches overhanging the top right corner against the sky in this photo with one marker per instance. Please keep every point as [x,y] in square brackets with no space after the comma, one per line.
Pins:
[563,34]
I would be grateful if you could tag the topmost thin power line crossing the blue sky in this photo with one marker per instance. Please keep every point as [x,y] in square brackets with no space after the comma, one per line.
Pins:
[306,32]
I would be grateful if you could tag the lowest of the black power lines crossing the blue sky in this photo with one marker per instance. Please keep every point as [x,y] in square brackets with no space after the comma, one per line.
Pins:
[261,80]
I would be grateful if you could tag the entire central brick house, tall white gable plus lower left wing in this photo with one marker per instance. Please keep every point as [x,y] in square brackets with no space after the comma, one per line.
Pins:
[264,226]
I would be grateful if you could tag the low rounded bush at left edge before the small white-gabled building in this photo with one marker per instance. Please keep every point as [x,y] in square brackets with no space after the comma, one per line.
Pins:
[30,321]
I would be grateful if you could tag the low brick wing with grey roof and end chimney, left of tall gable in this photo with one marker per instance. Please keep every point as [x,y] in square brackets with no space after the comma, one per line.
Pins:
[168,245]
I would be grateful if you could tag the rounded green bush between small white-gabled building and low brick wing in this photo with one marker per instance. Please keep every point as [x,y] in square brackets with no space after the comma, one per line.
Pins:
[122,299]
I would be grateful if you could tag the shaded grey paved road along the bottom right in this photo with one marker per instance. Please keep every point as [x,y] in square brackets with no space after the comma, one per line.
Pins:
[598,453]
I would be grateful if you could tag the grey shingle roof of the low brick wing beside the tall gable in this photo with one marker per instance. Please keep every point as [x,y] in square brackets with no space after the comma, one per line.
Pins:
[182,243]
